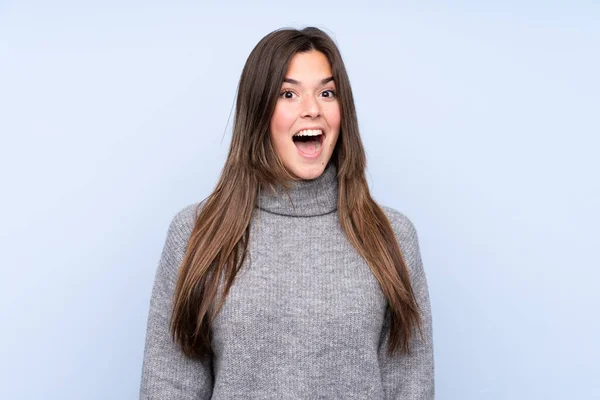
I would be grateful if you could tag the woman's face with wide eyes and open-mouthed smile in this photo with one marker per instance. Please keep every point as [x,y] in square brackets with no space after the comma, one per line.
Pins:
[306,123]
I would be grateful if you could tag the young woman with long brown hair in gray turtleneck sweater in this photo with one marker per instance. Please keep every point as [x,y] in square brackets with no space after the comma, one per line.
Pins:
[289,281]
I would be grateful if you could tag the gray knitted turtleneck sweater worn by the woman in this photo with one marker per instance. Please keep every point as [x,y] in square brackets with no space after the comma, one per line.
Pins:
[305,317]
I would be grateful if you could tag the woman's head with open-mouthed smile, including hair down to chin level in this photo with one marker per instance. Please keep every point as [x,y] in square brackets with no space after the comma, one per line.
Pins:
[294,80]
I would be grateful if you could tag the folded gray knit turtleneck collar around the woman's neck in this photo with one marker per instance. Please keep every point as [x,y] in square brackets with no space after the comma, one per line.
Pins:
[307,198]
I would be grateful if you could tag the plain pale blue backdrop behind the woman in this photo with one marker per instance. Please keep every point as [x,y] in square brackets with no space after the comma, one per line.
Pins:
[480,120]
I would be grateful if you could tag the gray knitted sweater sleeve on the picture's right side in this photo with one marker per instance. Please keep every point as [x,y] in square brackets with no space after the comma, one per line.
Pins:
[409,376]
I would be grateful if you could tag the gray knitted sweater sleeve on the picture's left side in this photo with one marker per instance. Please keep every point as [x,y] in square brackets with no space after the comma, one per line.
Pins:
[166,372]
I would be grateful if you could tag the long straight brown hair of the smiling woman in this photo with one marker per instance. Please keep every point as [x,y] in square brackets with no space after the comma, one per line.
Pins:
[219,240]
